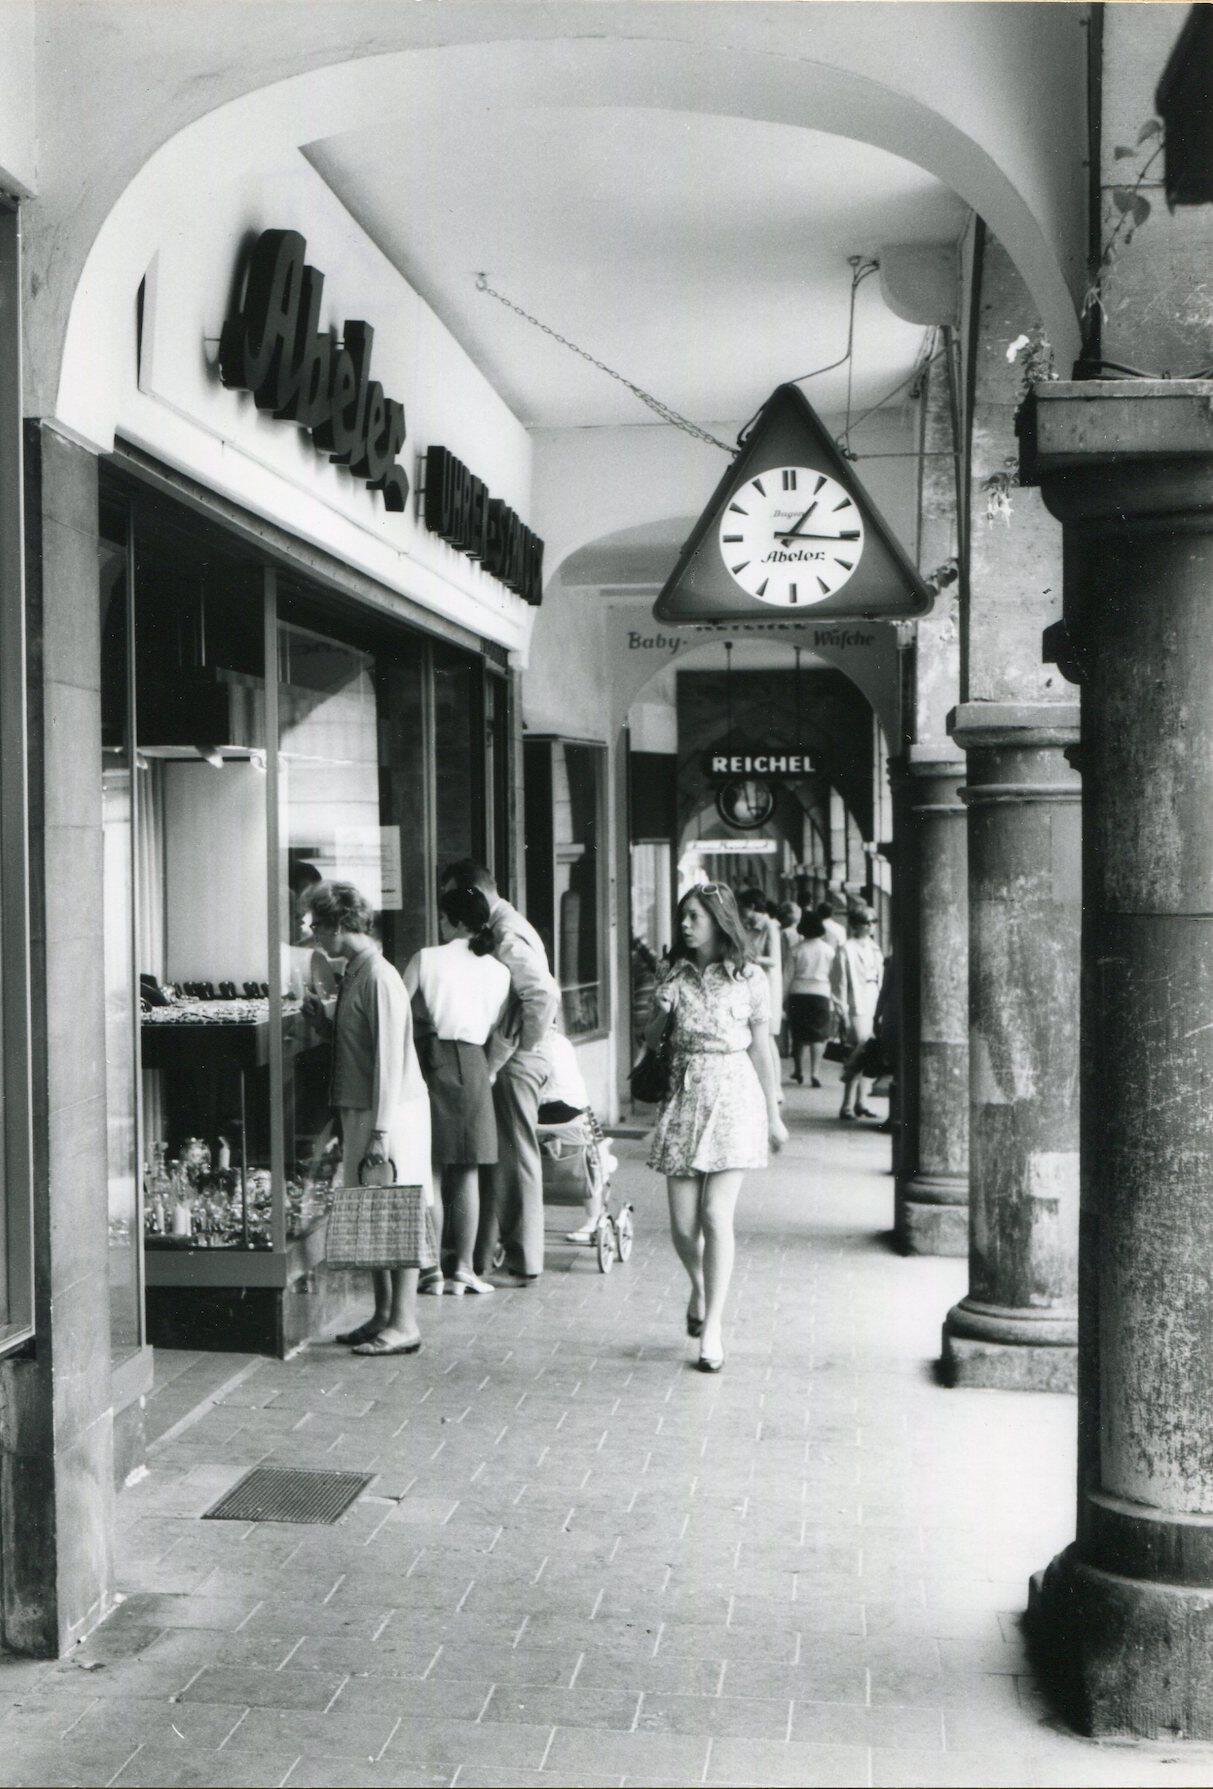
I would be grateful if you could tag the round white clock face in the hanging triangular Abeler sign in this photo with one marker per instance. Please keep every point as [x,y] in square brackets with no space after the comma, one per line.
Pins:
[792,536]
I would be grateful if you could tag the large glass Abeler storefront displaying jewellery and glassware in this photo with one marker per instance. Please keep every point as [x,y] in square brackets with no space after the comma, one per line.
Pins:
[366,758]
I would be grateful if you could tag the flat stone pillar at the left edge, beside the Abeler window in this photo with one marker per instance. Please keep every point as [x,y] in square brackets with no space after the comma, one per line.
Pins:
[56,1402]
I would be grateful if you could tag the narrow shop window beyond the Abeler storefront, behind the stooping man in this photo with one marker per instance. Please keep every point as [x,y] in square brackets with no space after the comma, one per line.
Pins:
[566,872]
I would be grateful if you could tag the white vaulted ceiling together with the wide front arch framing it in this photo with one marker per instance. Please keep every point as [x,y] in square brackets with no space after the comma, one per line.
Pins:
[751,142]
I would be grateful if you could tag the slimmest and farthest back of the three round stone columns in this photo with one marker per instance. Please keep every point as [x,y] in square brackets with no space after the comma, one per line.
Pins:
[931,1205]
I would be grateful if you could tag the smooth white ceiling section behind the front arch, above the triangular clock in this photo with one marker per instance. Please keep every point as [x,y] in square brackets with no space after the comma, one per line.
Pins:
[704,257]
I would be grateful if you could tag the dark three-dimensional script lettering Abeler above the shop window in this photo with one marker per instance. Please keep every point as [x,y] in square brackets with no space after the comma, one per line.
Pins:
[276,350]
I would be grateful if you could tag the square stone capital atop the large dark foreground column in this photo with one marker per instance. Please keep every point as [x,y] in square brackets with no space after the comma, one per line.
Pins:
[1121,454]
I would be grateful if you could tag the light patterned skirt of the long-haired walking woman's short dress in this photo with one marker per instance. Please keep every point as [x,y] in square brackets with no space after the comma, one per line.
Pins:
[715,1117]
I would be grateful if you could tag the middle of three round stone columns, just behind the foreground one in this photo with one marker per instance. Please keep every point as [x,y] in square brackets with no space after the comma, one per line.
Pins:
[1017,1328]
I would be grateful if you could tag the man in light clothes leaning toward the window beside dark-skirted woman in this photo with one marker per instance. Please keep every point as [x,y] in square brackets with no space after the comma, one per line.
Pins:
[520,1071]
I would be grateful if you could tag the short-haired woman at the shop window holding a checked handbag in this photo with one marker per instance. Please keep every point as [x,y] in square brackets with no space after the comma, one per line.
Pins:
[378,1090]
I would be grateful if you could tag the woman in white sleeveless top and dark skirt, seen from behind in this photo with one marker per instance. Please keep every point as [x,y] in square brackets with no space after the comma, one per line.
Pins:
[459,994]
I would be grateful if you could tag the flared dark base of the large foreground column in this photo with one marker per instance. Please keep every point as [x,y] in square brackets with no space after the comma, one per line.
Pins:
[1126,1658]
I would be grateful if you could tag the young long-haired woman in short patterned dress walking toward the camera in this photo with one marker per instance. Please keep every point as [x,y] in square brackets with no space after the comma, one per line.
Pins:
[724,1098]
